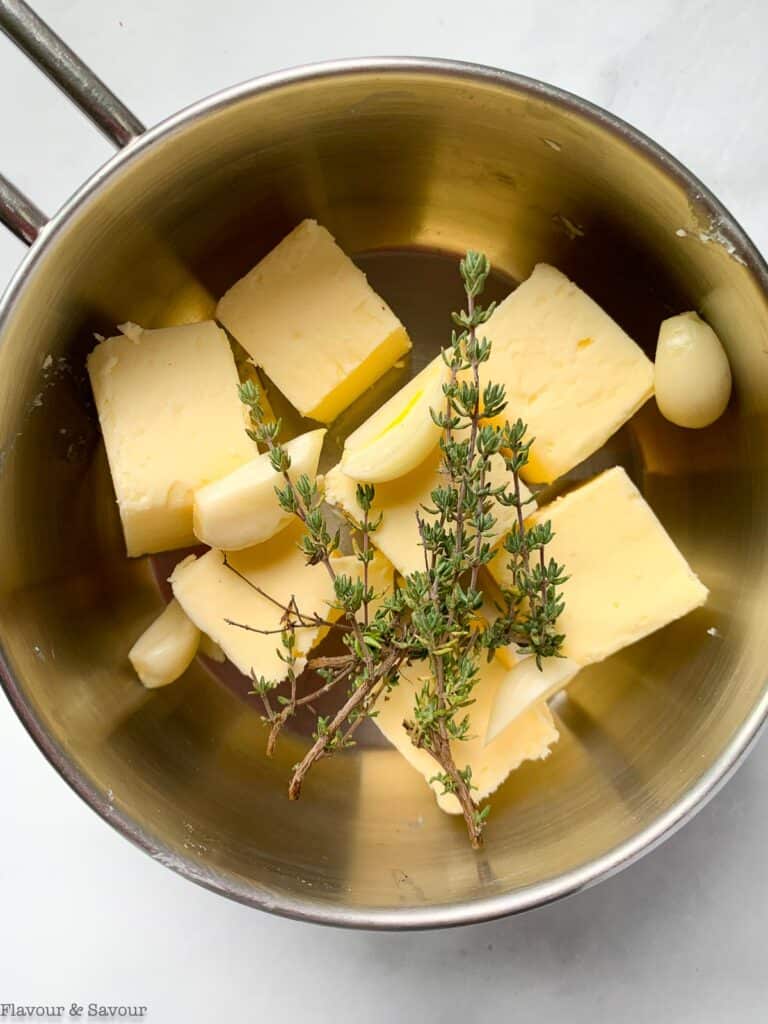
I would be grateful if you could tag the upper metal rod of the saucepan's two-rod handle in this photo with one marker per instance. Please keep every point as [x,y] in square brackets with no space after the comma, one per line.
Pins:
[64,68]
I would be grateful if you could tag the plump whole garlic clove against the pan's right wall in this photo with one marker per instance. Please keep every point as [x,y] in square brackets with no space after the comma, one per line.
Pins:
[693,374]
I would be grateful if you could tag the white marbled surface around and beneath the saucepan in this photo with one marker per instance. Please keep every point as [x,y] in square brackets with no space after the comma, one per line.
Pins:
[84,917]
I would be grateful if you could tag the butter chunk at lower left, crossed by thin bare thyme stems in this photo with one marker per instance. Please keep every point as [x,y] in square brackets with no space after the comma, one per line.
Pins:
[210,593]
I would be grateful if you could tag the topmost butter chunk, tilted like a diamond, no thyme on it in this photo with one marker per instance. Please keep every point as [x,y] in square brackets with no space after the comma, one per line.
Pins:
[310,319]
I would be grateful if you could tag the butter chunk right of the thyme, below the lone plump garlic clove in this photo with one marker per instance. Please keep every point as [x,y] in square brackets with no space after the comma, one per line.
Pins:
[627,578]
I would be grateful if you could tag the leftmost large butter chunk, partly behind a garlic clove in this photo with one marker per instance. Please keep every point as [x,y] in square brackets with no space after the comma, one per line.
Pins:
[173,421]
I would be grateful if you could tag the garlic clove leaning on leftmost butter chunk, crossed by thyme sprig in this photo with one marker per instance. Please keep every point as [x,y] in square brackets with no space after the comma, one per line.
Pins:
[242,509]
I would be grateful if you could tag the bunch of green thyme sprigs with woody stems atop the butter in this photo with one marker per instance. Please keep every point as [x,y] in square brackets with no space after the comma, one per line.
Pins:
[433,617]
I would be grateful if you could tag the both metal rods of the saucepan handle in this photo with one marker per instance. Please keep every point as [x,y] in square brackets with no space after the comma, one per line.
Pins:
[55,58]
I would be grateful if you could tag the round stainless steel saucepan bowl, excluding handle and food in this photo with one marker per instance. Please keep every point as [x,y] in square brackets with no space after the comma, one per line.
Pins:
[391,155]
